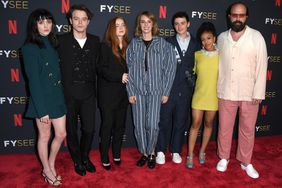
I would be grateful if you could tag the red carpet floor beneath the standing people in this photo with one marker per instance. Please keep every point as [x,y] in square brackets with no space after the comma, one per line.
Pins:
[23,170]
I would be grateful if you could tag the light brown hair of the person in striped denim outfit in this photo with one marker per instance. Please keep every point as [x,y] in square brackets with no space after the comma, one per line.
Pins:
[155,29]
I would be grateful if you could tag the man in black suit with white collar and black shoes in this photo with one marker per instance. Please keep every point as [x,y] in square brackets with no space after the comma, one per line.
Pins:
[79,52]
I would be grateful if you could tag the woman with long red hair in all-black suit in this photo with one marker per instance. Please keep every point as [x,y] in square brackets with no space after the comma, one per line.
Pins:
[112,78]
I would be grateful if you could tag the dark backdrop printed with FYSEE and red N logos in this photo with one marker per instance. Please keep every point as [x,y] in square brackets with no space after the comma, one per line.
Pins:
[18,134]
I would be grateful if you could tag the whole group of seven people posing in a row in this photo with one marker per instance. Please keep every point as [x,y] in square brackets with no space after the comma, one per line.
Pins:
[161,79]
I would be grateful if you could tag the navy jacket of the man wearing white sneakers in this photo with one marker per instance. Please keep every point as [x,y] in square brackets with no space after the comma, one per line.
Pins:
[184,74]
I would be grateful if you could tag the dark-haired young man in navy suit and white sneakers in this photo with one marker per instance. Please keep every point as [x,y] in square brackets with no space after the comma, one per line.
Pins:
[175,111]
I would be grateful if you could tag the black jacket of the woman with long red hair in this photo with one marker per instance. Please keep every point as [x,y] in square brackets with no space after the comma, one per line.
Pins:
[111,91]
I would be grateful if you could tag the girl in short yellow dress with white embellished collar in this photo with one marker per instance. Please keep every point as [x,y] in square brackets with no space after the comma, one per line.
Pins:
[204,101]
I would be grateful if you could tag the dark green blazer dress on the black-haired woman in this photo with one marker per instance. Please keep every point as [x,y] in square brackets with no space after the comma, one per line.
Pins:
[44,81]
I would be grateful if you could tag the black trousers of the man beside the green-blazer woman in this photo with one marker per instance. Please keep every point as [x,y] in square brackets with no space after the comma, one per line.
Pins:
[79,146]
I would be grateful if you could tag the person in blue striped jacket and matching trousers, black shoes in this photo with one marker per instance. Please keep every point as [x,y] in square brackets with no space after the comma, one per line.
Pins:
[152,64]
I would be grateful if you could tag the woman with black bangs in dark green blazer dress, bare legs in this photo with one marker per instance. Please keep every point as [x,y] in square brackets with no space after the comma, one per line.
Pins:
[46,104]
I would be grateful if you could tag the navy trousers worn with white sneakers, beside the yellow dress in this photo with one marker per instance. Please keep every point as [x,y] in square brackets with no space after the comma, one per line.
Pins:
[173,116]
